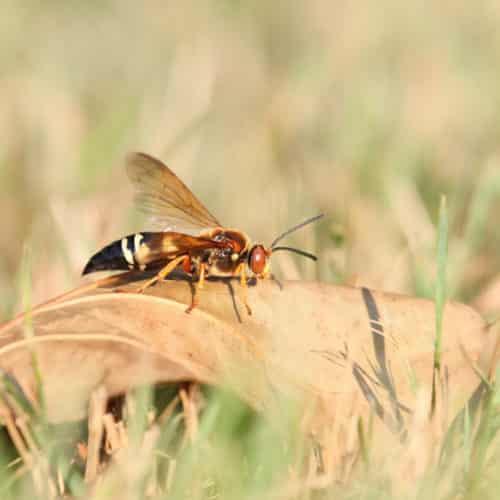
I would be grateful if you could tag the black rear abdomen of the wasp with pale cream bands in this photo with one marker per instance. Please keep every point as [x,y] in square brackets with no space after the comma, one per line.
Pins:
[119,255]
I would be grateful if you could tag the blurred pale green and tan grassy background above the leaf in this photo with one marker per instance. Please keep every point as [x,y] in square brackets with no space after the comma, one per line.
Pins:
[271,112]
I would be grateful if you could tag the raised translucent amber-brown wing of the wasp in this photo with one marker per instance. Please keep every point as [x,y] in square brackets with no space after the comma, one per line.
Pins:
[165,198]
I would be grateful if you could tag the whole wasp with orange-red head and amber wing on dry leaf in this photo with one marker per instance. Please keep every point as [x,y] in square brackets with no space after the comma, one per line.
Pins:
[191,238]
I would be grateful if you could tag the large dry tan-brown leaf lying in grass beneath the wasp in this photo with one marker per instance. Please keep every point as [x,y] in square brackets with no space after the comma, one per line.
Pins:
[342,352]
